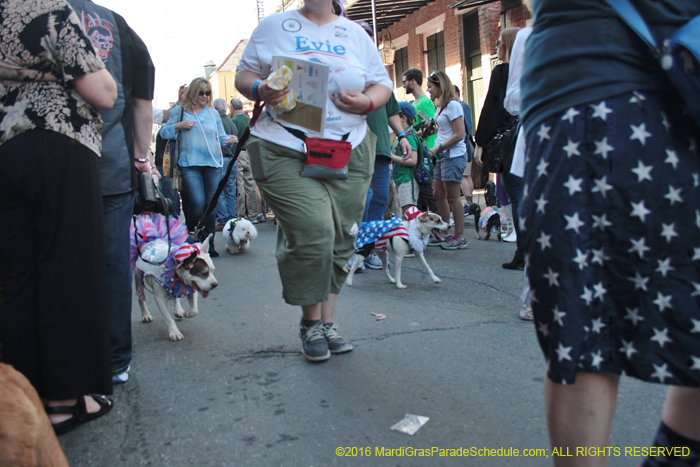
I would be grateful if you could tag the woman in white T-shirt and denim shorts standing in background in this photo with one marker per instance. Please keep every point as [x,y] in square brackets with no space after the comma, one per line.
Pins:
[451,155]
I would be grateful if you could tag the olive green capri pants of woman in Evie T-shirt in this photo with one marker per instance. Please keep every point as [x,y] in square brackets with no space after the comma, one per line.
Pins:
[314,217]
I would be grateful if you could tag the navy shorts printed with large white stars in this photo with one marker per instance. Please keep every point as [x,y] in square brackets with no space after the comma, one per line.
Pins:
[610,223]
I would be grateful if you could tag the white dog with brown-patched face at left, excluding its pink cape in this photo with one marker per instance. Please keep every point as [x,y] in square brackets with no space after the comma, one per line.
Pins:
[188,271]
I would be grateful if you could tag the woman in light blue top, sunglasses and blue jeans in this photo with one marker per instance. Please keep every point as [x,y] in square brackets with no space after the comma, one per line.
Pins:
[201,135]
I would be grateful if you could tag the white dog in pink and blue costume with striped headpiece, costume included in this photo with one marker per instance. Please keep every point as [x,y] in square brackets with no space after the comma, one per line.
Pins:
[166,266]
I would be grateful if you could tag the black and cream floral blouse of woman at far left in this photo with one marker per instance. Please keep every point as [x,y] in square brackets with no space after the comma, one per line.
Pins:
[43,49]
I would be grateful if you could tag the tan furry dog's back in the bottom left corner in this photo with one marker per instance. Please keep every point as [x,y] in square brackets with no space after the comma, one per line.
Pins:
[27,438]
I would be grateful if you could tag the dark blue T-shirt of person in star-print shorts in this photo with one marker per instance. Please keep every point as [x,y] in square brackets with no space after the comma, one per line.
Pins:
[580,51]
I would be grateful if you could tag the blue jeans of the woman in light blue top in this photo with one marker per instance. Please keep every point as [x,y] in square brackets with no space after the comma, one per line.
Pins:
[199,184]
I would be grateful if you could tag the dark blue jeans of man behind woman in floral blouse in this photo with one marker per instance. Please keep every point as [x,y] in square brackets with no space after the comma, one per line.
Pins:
[117,212]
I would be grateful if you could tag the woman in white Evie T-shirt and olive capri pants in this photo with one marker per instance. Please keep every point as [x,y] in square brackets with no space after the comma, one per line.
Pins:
[314,216]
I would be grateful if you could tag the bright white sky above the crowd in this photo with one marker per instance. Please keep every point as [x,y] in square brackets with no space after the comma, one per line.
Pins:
[183,35]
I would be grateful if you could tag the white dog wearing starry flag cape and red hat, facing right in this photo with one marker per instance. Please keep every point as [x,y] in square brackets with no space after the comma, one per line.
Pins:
[398,236]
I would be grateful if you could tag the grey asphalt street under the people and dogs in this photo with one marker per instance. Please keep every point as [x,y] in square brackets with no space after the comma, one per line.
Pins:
[237,391]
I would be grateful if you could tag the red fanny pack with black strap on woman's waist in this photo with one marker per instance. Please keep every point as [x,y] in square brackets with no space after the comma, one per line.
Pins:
[326,159]
